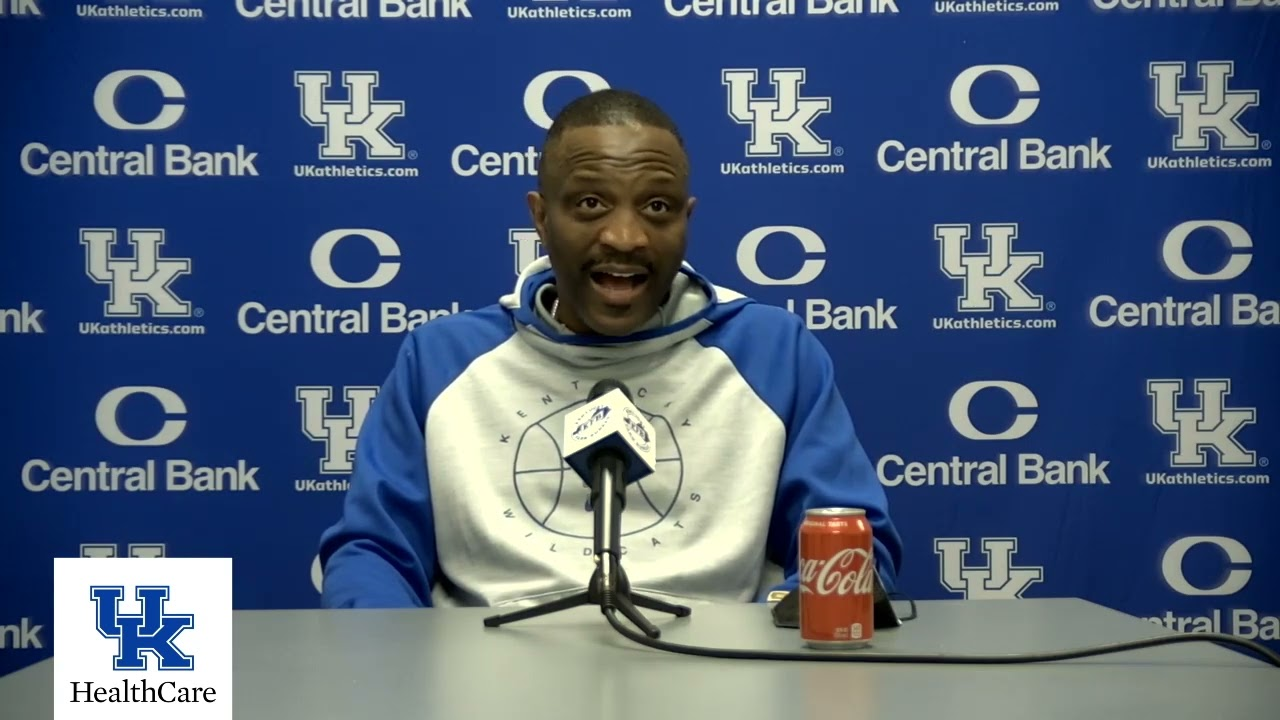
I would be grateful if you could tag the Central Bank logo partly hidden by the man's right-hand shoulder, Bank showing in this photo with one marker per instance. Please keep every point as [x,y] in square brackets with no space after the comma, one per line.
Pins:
[819,313]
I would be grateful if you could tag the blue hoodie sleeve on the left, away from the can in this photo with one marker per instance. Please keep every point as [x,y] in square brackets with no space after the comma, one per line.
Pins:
[382,550]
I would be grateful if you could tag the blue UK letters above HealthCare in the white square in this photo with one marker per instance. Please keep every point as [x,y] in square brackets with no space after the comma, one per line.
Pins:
[148,636]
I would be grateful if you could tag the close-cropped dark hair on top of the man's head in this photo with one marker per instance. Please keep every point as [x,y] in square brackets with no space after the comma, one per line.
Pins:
[604,108]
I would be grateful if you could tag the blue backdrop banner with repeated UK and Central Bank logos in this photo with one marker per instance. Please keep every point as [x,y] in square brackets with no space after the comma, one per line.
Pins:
[1040,239]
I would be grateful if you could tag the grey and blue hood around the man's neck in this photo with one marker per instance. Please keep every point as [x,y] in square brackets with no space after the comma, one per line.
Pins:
[696,306]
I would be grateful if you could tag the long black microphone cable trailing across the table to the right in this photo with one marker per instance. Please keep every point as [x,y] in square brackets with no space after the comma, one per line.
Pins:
[872,657]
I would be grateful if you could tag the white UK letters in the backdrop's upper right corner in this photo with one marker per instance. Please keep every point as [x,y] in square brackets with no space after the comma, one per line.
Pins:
[1213,110]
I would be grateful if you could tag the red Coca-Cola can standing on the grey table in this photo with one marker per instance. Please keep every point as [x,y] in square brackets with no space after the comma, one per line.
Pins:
[838,587]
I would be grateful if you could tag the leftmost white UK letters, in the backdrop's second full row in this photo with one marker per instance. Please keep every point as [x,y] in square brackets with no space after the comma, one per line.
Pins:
[144,277]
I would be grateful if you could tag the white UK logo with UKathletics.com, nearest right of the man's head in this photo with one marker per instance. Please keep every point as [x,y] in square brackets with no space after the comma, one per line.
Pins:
[779,120]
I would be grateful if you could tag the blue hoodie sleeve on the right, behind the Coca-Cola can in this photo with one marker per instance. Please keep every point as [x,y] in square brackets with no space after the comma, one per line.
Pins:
[825,466]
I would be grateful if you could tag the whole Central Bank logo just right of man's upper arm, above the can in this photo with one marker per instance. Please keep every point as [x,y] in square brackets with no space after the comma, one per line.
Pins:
[994,413]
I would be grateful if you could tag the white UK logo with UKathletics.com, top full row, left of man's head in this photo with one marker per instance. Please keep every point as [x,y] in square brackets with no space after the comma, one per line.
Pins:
[354,125]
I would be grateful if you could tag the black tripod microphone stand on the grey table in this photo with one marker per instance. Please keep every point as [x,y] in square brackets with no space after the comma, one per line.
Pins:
[610,587]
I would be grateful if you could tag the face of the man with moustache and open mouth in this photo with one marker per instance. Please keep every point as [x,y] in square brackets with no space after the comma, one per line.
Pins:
[612,216]
